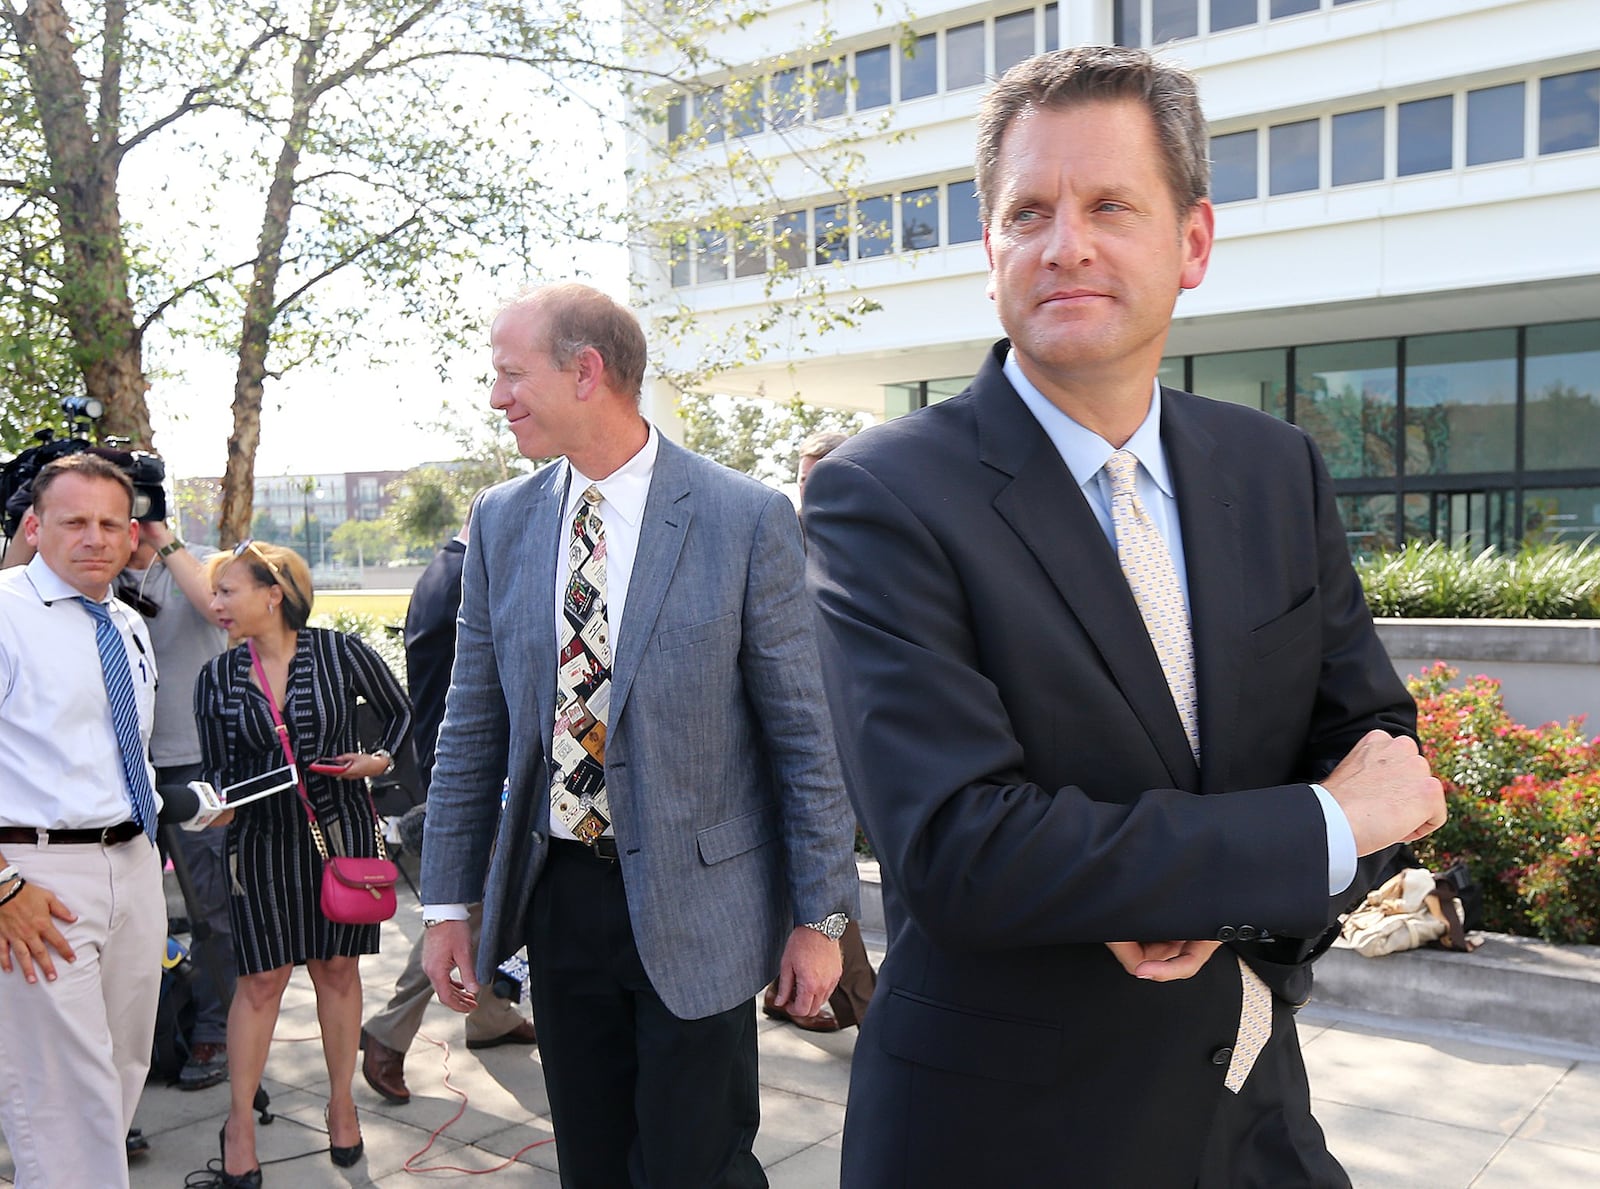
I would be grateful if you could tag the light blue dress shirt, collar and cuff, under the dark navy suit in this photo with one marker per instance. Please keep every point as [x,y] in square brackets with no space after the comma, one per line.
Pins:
[1086,454]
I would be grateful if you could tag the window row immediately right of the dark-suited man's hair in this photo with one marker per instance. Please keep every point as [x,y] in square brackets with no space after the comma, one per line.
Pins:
[1497,124]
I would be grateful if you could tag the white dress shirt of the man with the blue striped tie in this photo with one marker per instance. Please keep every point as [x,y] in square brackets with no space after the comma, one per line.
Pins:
[60,763]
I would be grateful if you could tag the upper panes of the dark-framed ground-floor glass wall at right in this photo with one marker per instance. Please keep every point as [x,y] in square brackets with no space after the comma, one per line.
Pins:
[1455,404]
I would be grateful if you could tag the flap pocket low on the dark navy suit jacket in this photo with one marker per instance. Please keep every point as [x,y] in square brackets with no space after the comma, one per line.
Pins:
[1004,1049]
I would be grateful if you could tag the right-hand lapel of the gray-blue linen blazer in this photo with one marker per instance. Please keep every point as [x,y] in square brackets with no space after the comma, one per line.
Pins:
[662,534]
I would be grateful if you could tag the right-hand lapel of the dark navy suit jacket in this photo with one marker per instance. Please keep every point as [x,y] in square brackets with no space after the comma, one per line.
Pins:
[1215,559]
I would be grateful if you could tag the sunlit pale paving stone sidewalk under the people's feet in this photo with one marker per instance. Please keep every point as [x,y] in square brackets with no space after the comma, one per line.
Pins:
[1407,1105]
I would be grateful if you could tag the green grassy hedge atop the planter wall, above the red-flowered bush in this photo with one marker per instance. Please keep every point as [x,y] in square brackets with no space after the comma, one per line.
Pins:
[1434,582]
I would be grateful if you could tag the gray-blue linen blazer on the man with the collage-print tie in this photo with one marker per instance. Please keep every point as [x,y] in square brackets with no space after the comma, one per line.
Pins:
[726,793]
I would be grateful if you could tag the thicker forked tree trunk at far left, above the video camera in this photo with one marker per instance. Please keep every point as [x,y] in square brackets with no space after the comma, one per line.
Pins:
[84,164]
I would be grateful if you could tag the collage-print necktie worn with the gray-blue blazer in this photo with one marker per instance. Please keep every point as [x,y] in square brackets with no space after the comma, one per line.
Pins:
[583,683]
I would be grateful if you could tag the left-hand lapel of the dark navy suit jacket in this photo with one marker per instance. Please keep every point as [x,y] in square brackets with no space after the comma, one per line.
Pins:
[1046,508]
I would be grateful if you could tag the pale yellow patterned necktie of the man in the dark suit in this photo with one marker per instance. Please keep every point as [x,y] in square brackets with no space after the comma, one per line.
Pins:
[1148,566]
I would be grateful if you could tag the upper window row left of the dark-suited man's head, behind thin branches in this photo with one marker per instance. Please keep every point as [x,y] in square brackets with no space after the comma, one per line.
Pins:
[946,60]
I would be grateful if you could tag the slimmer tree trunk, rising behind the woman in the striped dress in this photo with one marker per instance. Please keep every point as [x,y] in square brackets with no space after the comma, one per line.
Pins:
[239,481]
